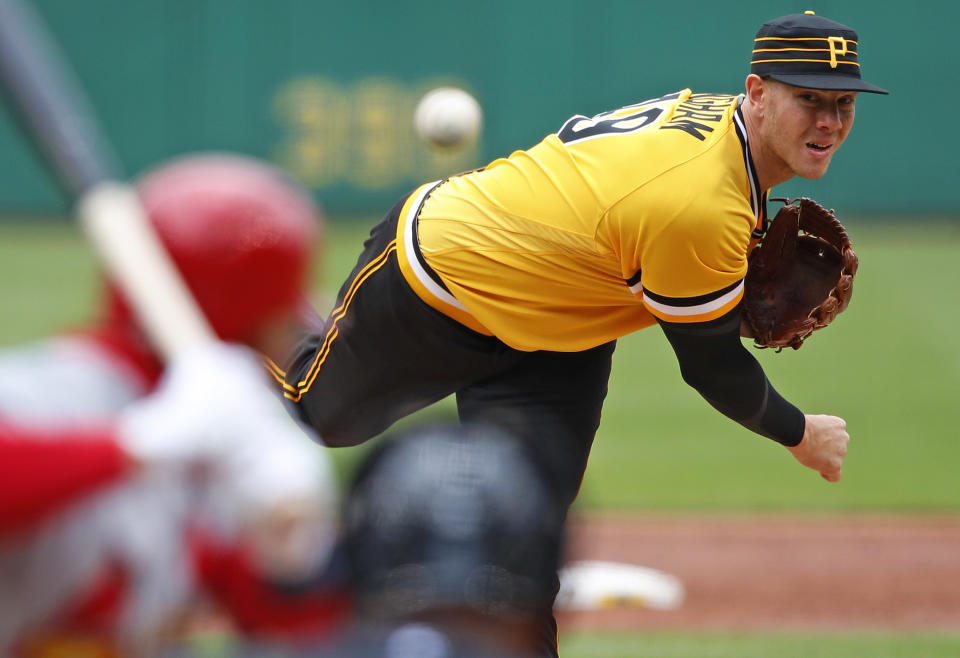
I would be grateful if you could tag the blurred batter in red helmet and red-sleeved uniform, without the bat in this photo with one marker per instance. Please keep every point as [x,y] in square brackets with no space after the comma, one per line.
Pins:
[129,490]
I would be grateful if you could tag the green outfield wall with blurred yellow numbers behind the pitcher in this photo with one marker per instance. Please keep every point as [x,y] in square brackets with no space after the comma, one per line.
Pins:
[327,89]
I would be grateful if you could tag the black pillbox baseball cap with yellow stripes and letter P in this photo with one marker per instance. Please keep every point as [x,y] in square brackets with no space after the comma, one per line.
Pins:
[806,50]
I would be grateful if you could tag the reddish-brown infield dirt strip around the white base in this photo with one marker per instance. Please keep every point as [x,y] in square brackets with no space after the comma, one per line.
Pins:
[783,572]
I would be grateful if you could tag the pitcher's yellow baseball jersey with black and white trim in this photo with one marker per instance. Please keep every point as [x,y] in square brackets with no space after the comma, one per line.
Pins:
[643,212]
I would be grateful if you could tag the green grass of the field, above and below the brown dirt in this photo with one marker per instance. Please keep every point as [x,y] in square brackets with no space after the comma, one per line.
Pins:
[890,366]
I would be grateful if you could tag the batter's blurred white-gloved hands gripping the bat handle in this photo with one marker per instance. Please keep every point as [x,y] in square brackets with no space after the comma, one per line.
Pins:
[215,406]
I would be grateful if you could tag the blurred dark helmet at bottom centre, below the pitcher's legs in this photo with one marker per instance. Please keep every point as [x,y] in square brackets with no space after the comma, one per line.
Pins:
[451,517]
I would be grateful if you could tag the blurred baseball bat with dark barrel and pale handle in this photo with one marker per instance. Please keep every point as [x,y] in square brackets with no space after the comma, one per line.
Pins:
[48,99]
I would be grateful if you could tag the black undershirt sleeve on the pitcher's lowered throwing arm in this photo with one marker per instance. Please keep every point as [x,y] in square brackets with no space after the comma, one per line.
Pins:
[714,361]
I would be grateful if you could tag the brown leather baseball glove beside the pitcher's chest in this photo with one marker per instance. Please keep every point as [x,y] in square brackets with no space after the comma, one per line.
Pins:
[799,277]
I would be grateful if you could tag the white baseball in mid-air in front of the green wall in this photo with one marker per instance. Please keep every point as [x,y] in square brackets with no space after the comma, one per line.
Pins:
[447,116]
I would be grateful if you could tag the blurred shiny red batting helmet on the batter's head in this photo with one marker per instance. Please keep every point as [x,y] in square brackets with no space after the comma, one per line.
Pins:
[240,232]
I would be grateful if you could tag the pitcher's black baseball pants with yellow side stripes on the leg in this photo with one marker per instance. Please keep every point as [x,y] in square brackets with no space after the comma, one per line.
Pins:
[385,353]
